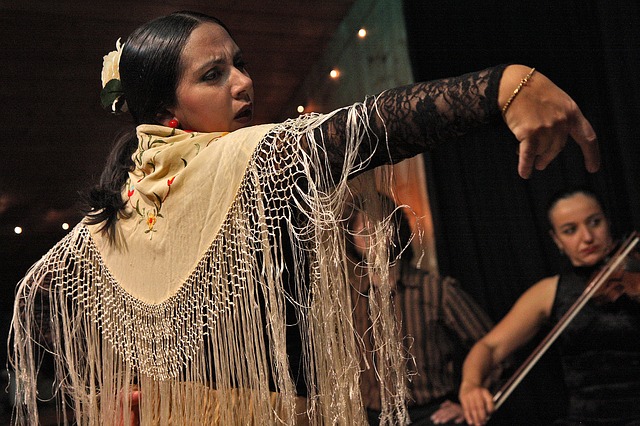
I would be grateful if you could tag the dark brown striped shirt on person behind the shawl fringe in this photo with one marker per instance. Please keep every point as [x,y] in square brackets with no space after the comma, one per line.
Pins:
[441,323]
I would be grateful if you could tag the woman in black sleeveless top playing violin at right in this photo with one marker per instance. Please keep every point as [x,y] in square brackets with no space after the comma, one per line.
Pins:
[600,348]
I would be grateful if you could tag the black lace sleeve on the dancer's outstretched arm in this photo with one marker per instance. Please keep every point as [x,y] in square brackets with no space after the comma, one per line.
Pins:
[416,117]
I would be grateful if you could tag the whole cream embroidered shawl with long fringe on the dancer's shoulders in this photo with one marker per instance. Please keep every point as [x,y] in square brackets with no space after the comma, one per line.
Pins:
[188,306]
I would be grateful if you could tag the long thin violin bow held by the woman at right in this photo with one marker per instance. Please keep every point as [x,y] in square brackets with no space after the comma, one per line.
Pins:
[596,282]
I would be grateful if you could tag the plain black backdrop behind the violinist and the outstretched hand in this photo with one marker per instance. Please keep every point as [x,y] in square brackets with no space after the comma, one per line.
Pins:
[490,225]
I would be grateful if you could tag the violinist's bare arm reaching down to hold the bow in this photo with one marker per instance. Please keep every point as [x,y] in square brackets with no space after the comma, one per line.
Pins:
[520,325]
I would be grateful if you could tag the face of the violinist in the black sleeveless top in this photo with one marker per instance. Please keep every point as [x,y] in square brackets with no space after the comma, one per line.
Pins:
[580,229]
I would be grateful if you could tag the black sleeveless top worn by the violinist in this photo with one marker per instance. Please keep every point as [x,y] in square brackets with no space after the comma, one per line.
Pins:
[600,351]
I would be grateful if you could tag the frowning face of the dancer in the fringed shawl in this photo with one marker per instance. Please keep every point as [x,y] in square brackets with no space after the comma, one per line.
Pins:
[215,92]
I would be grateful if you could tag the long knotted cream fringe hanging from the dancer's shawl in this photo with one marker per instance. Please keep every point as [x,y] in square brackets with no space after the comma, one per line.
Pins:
[208,354]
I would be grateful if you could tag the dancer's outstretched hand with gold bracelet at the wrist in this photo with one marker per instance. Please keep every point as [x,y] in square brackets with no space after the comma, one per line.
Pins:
[542,117]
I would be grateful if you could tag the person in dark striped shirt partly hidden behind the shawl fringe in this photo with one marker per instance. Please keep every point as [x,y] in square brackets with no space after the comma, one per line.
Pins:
[439,320]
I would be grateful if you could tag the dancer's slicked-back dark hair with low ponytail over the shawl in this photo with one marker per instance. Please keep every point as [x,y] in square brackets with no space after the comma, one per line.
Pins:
[150,70]
